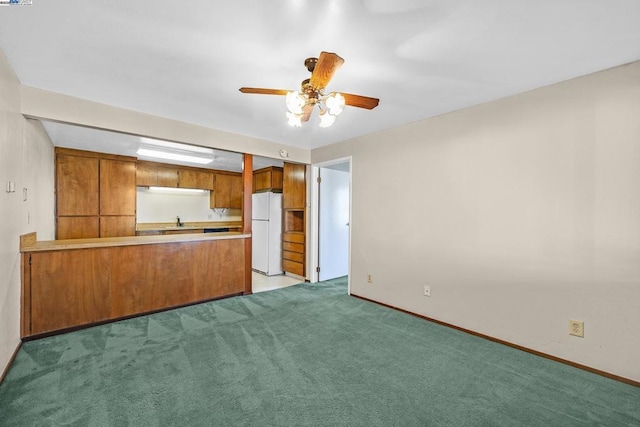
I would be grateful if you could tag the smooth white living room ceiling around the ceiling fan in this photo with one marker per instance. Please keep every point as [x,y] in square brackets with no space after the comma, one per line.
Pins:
[186,60]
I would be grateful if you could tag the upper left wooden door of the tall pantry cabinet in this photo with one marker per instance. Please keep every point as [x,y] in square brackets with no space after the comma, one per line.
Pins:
[77,185]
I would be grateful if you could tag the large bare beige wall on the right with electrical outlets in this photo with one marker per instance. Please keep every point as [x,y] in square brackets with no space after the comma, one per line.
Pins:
[520,214]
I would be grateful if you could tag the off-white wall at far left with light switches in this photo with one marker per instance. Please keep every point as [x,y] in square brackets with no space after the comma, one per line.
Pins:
[26,158]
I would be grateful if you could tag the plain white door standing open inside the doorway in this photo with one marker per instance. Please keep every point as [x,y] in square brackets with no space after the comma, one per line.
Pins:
[333,217]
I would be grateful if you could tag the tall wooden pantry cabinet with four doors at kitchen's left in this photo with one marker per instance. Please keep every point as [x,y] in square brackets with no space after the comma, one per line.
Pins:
[95,195]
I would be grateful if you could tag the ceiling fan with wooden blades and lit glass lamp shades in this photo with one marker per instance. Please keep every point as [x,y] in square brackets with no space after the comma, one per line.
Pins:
[301,103]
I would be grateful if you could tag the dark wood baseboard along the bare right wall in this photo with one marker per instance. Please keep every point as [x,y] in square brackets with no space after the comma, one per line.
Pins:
[512,345]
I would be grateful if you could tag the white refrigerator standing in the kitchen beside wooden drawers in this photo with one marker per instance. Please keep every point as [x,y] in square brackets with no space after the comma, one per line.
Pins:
[266,231]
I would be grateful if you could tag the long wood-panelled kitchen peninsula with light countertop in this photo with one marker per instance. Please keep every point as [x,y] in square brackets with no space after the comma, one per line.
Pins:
[81,282]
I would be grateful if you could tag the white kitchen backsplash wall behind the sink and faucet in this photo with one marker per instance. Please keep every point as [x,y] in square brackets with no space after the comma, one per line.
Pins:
[190,207]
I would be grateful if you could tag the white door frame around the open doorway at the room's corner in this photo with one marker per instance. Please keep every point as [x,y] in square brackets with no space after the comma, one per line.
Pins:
[314,240]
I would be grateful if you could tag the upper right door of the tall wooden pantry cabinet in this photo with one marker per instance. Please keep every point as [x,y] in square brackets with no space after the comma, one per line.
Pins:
[117,187]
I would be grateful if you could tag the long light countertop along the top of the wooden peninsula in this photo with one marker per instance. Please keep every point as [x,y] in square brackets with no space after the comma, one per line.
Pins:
[58,245]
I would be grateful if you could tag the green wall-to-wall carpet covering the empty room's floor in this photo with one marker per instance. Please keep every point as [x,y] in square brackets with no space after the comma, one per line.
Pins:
[308,355]
